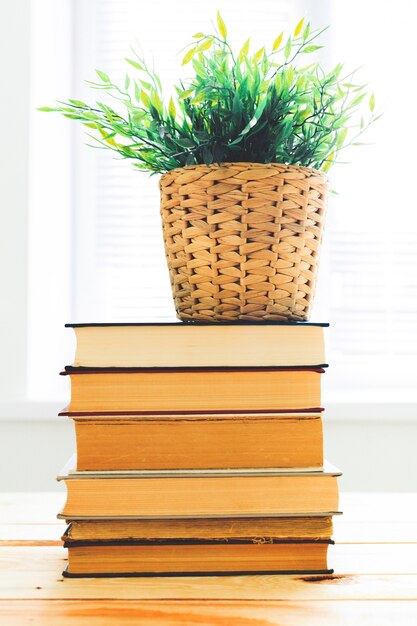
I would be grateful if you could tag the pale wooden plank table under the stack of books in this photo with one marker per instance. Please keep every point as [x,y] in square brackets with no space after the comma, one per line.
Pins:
[375,560]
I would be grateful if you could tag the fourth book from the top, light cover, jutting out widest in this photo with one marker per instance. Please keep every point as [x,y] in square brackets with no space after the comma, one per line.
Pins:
[198,493]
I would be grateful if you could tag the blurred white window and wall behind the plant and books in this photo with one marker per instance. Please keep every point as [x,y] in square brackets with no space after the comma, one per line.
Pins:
[80,230]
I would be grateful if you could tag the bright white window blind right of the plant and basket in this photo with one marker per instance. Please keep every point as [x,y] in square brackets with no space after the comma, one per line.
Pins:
[371,255]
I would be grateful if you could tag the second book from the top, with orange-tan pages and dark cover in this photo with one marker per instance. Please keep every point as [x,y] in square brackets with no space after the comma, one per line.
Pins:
[195,390]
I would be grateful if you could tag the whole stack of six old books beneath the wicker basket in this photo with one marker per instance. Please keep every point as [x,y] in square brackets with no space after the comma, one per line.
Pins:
[199,450]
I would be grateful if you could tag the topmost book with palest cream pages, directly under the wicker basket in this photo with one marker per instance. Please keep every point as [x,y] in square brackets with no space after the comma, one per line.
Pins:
[199,345]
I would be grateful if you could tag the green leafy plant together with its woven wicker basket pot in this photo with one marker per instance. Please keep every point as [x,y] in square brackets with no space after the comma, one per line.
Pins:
[243,149]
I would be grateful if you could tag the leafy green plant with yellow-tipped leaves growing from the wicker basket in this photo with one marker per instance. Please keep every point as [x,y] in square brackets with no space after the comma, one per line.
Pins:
[271,105]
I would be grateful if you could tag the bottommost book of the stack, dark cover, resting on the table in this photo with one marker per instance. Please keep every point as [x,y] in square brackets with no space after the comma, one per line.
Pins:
[132,558]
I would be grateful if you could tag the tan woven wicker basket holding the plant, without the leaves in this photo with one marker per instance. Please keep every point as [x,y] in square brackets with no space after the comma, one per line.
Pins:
[242,240]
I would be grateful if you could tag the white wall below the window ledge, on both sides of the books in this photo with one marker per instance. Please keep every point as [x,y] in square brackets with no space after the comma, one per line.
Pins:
[374,456]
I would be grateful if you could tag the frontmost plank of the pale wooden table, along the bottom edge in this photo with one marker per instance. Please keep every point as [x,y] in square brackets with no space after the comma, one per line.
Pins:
[140,613]
